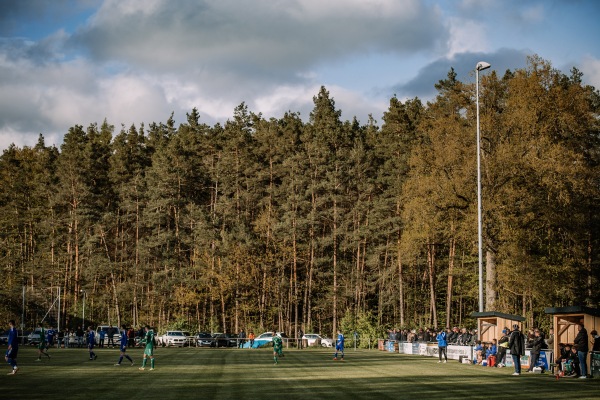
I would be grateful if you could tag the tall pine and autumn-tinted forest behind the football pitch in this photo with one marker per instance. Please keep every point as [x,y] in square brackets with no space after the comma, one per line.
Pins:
[280,223]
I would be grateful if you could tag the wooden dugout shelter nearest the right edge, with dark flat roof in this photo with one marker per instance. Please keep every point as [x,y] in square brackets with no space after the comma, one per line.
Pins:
[566,319]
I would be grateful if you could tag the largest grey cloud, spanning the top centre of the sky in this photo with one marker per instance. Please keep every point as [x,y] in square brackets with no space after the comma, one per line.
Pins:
[262,38]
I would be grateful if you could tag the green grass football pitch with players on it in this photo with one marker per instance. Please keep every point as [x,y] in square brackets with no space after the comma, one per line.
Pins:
[251,374]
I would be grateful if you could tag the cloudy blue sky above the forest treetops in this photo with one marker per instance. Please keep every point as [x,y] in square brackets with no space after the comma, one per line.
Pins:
[69,62]
